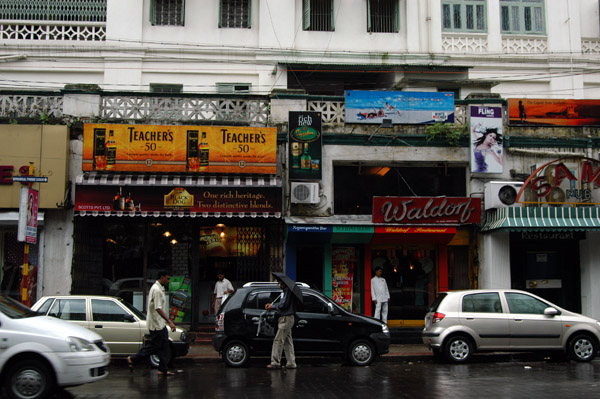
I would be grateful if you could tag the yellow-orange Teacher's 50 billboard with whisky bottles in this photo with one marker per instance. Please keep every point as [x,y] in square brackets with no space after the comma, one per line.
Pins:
[192,149]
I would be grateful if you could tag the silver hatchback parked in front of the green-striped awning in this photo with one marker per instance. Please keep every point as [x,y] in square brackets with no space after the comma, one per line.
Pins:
[460,323]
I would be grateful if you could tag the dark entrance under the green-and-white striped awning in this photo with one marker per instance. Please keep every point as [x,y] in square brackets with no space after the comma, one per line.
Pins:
[548,268]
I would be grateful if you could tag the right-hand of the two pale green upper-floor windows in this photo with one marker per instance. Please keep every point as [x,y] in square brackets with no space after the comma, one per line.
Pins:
[522,16]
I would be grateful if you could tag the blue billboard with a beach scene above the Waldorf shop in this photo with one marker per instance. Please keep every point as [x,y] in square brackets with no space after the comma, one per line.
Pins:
[402,107]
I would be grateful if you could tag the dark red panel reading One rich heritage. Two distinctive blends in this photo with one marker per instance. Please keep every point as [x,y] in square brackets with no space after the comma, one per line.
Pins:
[168,198]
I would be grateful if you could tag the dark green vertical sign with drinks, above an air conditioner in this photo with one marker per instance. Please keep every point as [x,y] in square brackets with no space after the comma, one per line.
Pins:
[305,145]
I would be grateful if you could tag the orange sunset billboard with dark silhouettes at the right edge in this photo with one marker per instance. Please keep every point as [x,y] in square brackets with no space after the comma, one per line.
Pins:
[550,112]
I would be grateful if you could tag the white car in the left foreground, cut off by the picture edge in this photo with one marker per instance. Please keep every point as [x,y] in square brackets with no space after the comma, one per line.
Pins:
[40,353]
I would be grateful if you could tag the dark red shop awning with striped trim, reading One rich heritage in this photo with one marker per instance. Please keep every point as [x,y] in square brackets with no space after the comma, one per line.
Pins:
[163,195]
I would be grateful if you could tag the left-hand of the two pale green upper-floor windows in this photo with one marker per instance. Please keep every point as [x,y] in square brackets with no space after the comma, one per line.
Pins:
[464,15]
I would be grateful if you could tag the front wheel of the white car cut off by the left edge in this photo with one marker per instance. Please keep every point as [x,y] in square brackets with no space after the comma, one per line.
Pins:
[29,379]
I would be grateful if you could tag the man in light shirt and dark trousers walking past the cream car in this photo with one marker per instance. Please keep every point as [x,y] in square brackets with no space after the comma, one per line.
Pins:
[157,321]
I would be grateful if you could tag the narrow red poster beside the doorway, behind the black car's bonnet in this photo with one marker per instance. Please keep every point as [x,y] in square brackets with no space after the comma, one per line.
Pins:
[342,268]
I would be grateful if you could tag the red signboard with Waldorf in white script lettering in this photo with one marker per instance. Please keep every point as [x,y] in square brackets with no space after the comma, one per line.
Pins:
[426,210]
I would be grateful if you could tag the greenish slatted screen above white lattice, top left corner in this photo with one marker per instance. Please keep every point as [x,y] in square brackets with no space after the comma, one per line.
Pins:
[54,10]
